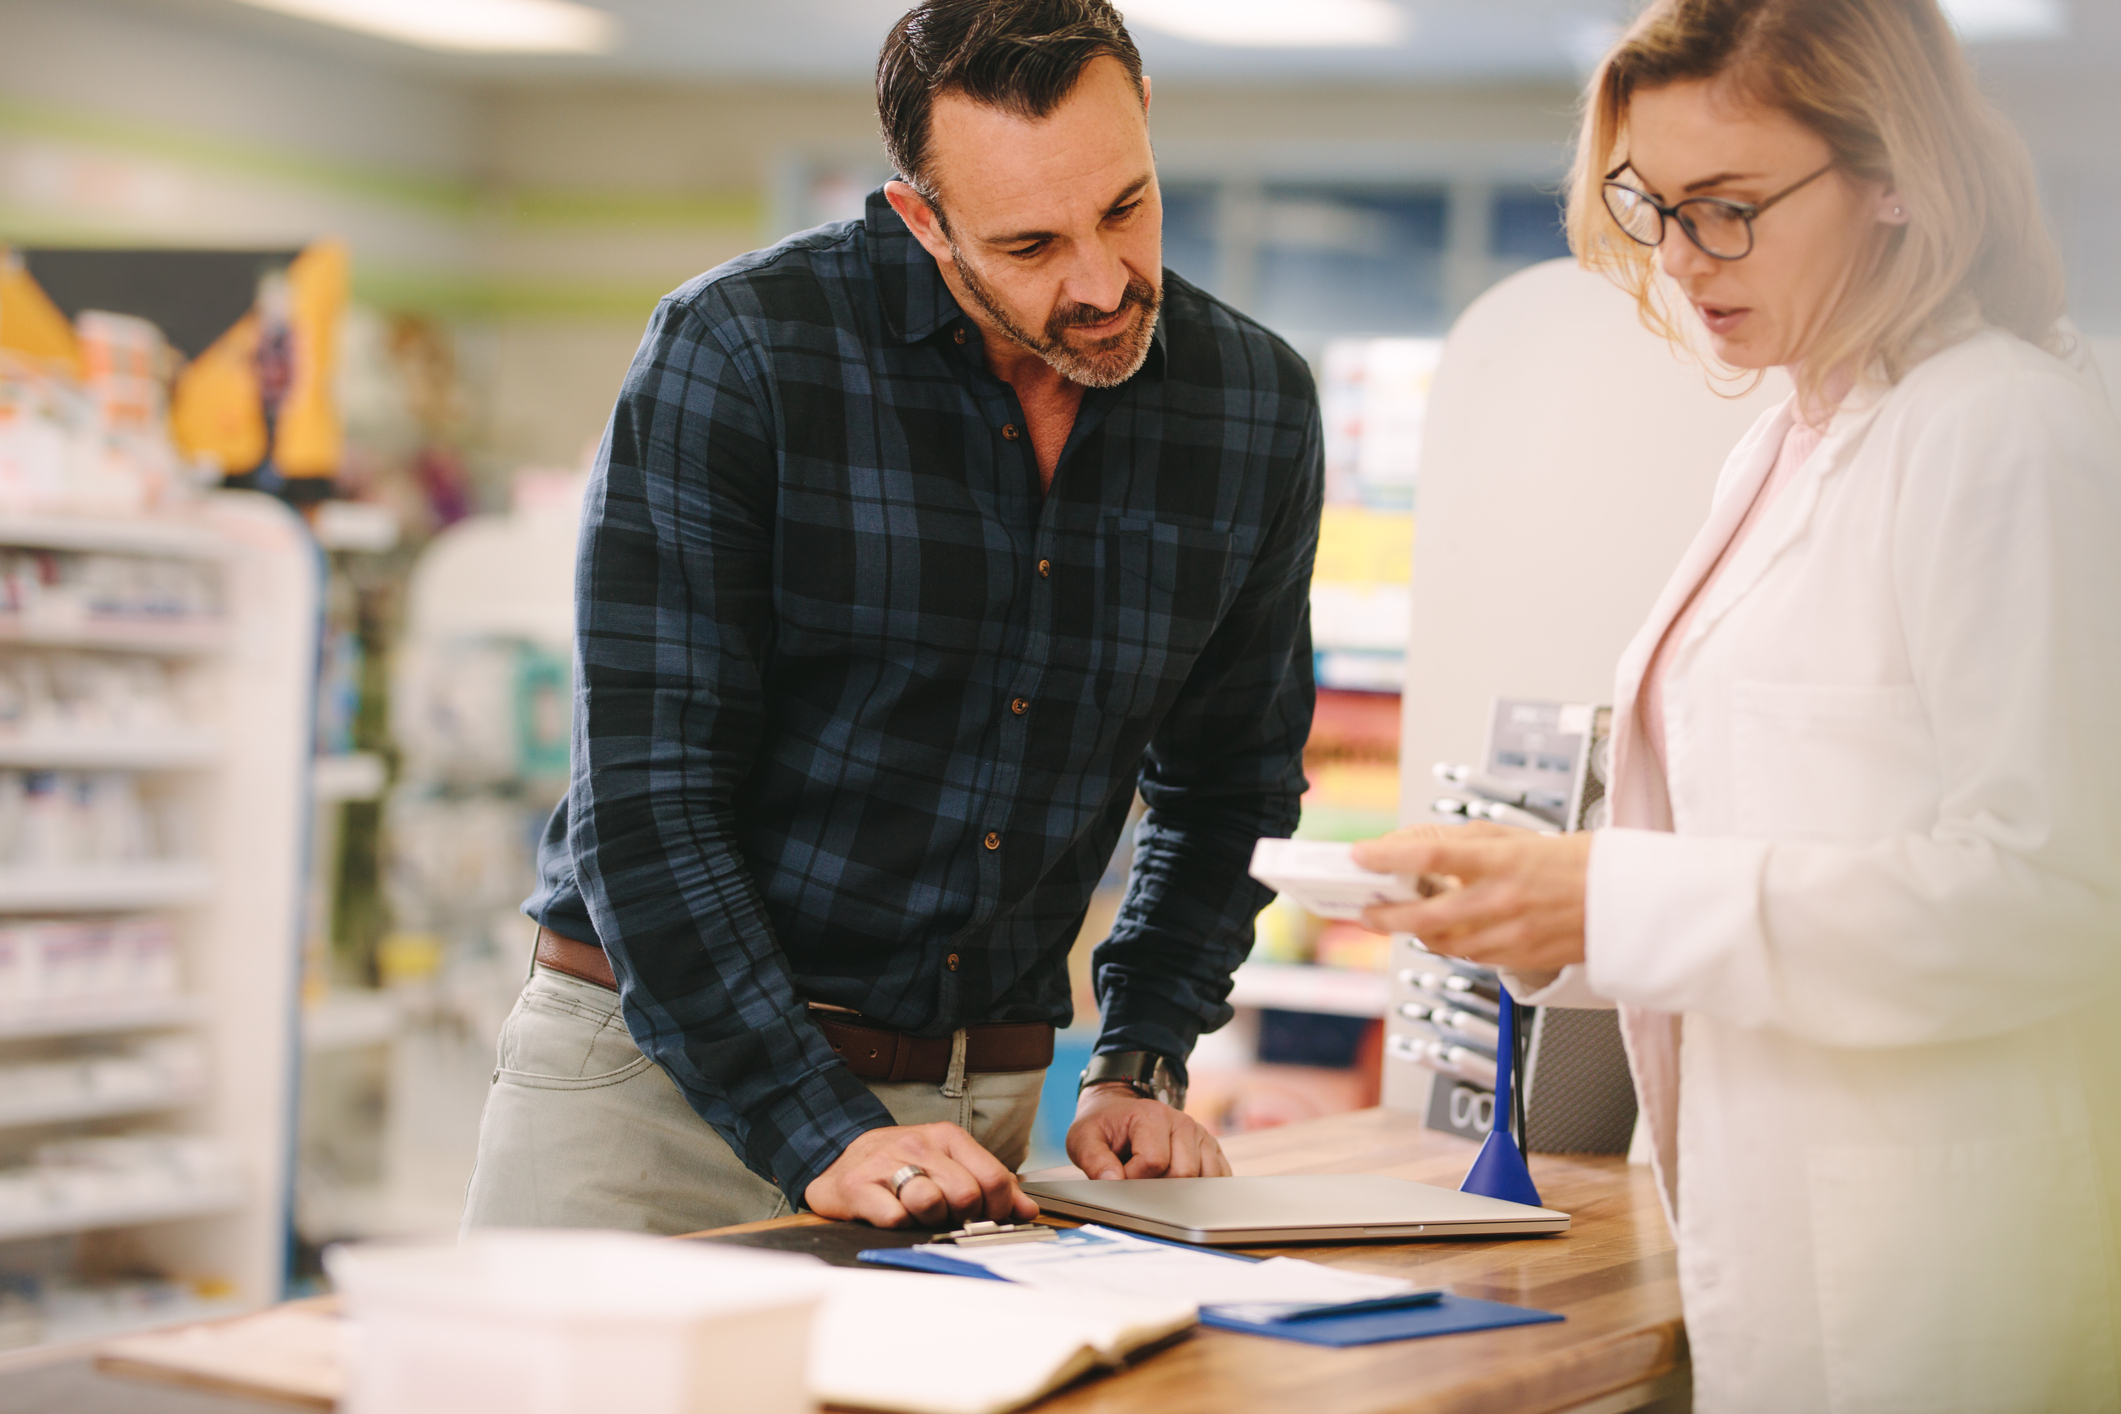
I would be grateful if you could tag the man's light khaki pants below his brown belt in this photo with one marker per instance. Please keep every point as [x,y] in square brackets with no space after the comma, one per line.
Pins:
[584,1131]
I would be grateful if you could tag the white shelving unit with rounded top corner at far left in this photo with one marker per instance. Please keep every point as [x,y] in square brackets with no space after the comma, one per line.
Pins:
[232,896]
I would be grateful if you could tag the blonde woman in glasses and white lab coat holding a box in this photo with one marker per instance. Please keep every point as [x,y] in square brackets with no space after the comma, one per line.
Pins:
[1861,900]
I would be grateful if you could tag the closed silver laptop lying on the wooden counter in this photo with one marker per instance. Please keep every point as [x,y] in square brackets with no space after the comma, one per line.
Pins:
[1289,1209]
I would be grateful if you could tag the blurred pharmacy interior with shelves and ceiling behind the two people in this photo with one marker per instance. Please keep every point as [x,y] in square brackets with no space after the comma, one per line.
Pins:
[273,760]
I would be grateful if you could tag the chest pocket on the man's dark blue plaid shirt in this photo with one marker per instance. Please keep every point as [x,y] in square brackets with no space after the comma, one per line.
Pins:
[1161,593]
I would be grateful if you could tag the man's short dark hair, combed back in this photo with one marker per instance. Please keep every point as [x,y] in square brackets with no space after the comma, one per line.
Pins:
[1023,56]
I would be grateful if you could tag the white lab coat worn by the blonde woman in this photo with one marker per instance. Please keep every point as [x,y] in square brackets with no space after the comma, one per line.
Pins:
[1872,976]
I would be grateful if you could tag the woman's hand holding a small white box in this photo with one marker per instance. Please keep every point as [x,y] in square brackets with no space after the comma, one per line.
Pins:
[1520,898]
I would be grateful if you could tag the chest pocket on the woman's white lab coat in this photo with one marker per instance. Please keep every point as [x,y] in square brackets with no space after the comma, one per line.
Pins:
[1831,762]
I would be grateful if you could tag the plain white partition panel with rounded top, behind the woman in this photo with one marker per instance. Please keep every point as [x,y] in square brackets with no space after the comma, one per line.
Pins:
[1568,461]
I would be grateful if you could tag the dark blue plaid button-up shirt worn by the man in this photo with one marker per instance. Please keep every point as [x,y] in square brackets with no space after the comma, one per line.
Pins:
[860,713]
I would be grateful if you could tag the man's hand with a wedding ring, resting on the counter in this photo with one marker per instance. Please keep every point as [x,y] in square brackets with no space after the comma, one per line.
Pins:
[964,1182]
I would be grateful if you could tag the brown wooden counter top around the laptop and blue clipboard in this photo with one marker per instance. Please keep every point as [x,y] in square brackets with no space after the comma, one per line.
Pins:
[1613,1275]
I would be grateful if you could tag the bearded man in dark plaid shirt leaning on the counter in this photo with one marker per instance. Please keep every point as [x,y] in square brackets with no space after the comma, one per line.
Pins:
[917,546]
